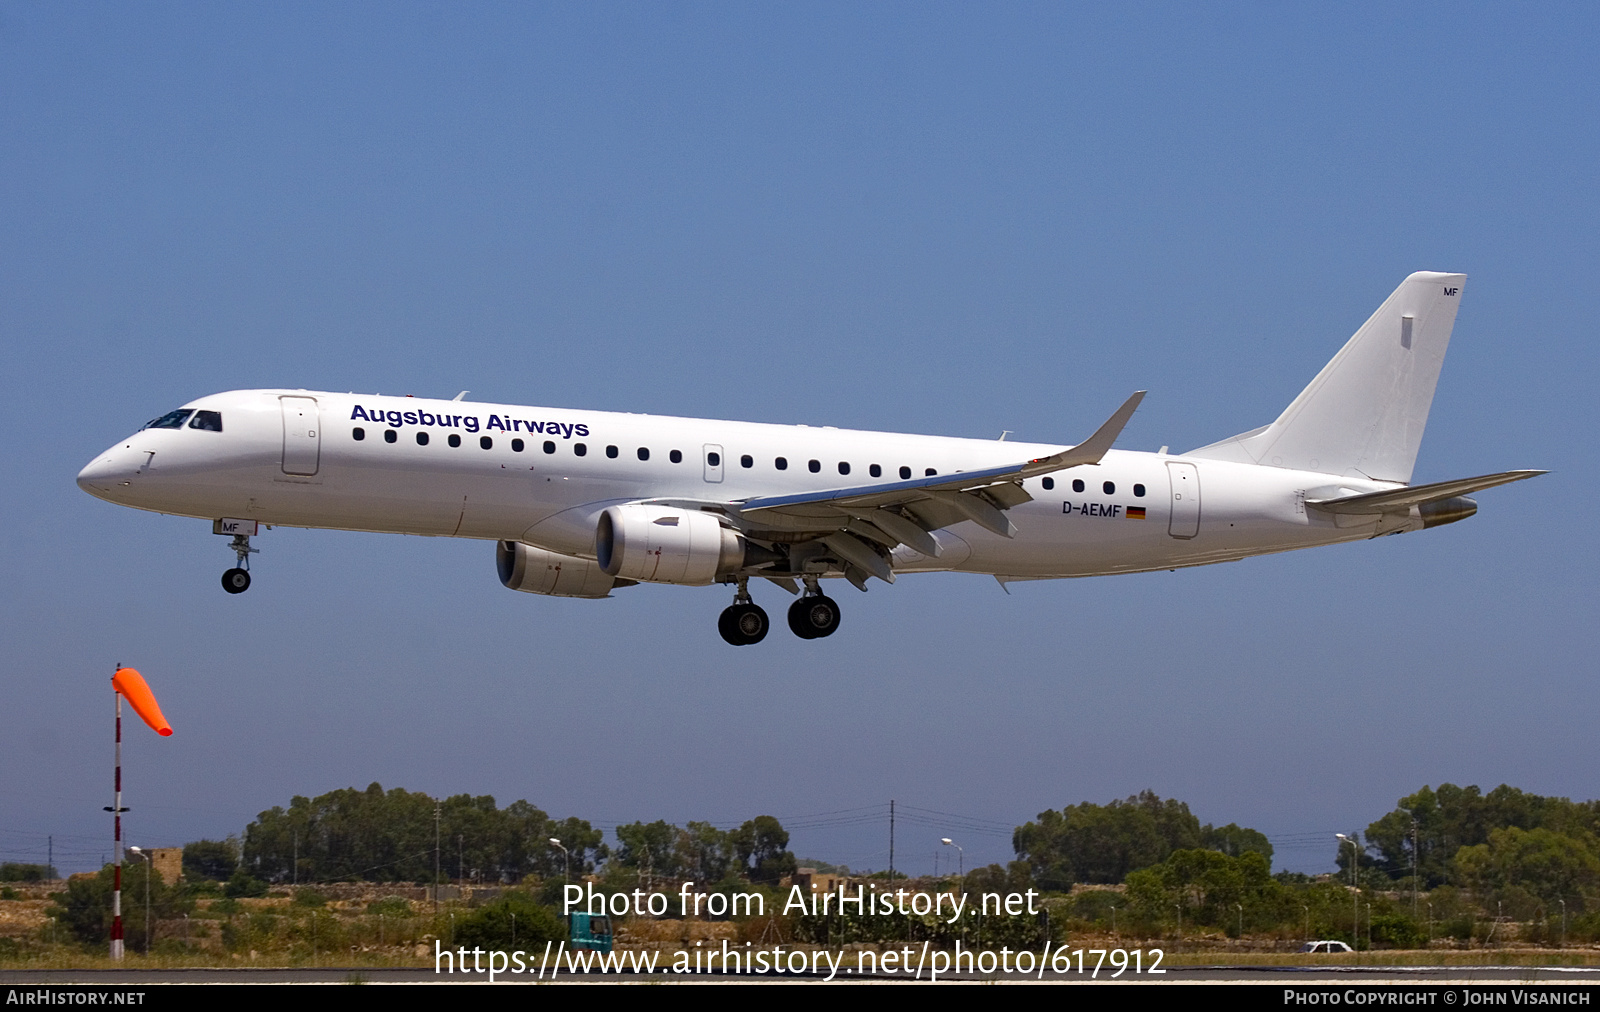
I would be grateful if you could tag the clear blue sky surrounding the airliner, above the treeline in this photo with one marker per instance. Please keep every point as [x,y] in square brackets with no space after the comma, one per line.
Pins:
[929,219]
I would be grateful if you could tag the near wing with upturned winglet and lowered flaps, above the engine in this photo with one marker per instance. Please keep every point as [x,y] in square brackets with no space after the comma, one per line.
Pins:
[860,524]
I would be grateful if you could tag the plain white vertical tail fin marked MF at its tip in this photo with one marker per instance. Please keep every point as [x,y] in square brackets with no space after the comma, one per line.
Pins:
[1366,411]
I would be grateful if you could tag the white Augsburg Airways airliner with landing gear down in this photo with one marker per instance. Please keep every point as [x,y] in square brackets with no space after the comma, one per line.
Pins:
[582,504]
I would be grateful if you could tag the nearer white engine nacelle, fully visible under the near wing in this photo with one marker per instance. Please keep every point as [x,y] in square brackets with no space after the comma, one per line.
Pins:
[666,545]
